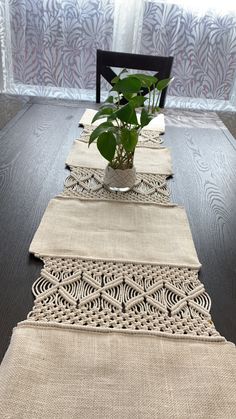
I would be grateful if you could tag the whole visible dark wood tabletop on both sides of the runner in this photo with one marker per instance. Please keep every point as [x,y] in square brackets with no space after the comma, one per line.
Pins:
[33,148]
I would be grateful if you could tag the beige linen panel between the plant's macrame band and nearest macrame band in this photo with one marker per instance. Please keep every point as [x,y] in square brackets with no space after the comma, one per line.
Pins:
[118,231]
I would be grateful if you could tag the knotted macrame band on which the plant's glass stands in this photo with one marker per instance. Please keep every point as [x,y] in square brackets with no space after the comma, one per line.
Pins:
[88,183]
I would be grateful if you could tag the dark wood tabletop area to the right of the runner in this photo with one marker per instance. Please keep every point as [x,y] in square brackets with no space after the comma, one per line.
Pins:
[204,161]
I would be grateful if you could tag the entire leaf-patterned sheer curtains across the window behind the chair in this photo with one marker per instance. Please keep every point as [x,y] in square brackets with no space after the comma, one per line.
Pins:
[48,47]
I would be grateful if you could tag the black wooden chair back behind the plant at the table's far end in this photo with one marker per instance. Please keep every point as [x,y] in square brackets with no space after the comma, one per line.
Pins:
[108,59]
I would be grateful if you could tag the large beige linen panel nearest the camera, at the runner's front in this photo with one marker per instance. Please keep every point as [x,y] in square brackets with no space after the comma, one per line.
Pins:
[64,373]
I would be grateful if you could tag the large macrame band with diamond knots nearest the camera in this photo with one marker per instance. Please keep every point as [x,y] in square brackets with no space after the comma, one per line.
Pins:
[122,296]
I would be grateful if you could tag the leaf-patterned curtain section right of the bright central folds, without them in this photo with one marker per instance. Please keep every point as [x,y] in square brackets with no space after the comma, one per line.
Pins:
[204,48]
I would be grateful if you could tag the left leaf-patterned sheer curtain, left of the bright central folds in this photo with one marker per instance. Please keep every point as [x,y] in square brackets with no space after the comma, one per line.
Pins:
[49,46]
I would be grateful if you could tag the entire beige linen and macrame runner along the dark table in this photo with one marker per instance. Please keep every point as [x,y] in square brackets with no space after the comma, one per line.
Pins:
[121,325]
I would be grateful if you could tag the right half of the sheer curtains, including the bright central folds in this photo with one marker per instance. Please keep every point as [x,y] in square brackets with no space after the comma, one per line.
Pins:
[202,39]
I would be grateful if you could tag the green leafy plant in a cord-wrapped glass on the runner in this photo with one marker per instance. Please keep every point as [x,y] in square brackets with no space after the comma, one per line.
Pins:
[117,136]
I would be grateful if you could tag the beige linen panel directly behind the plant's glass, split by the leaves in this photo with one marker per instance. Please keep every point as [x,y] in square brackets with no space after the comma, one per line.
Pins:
[146,160]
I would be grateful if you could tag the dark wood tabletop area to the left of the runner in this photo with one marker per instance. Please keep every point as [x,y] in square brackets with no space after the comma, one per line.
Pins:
[32,171]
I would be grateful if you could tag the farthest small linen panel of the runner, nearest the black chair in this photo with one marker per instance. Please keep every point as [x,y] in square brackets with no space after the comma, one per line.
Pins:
[157,123]
